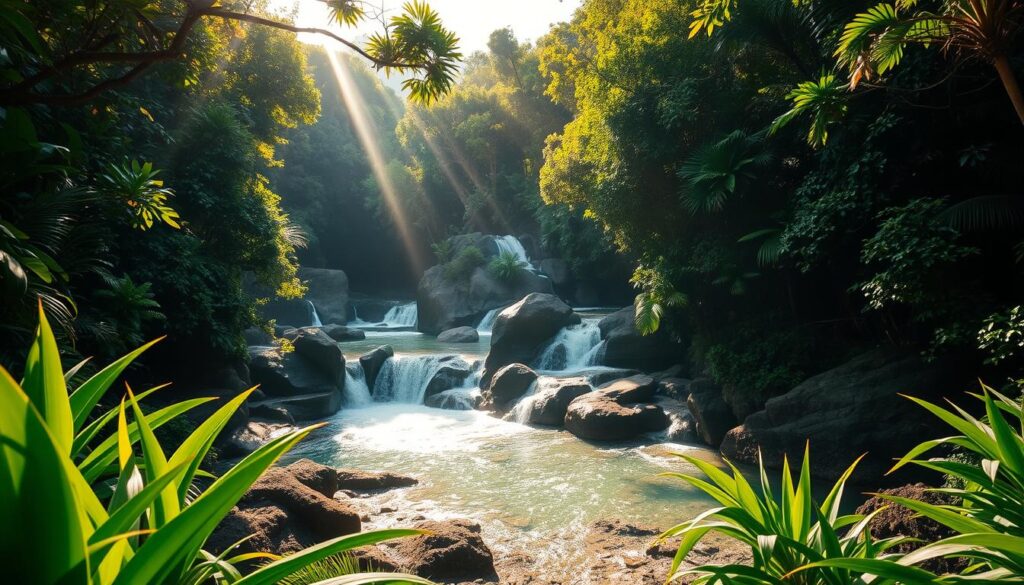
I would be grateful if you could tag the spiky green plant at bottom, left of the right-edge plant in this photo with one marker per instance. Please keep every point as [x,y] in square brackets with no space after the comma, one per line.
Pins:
[786,533]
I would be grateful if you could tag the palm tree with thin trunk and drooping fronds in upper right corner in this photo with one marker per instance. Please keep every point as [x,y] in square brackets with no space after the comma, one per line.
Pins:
[874,41]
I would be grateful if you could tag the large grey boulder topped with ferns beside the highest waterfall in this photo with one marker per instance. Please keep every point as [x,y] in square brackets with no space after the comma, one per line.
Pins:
[445,305]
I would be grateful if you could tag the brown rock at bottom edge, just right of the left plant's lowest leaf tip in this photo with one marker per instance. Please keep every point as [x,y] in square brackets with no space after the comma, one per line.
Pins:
[452,552]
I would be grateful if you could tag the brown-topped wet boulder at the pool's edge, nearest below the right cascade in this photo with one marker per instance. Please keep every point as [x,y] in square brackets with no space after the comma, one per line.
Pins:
[615,411]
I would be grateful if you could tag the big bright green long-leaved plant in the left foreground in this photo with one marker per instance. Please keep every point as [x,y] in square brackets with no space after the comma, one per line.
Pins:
[84,504]
